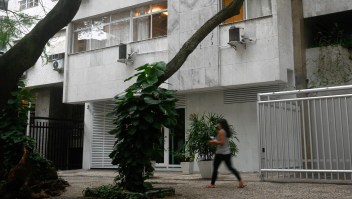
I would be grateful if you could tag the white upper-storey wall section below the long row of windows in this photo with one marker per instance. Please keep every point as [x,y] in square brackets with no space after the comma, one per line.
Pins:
[96,74]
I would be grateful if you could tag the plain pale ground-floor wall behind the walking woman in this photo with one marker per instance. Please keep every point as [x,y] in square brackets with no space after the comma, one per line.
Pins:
[242,116]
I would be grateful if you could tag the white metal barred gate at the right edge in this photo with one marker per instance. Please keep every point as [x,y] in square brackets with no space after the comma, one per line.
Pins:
[306,137]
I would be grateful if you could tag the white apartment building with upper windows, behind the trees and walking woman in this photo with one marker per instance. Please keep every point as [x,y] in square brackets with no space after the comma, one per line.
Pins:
[247,54]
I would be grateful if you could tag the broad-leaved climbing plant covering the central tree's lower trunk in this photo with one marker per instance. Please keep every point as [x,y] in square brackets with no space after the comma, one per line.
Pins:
[139,115]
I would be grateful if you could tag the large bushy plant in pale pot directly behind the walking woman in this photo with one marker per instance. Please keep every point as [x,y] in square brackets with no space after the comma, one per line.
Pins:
[202,128]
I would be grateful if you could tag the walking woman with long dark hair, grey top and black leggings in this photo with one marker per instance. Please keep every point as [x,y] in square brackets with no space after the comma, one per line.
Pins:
[223,152]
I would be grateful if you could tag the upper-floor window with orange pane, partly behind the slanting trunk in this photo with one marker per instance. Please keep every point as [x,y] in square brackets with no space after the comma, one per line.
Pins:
[250,9]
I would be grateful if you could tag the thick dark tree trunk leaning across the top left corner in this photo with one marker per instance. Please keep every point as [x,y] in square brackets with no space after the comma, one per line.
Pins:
[26,52]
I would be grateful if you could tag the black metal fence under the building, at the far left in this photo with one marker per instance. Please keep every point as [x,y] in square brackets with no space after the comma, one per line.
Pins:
[58,140]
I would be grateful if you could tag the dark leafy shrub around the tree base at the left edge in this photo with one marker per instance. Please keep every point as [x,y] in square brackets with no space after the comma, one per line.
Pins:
[13,123]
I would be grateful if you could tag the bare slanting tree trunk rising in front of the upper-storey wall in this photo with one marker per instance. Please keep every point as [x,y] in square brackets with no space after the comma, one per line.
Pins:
[192,43]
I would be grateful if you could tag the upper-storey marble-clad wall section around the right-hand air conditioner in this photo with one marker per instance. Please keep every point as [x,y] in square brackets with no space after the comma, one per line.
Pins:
[214,63]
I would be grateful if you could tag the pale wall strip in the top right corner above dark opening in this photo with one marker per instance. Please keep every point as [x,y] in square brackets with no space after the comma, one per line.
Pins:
[313,8]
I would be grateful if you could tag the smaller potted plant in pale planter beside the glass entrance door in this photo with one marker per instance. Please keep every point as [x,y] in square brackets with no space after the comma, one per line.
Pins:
[186,159]
